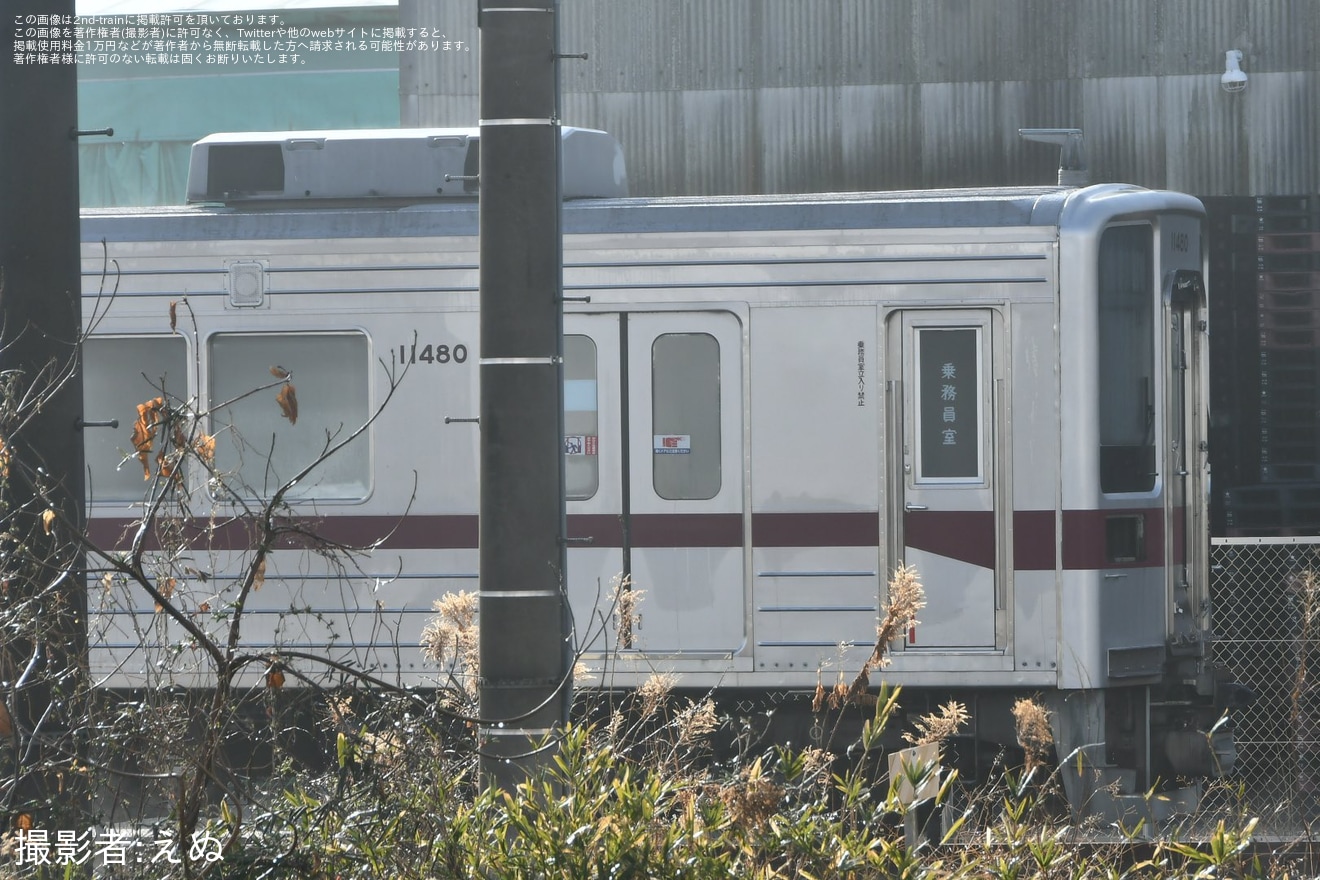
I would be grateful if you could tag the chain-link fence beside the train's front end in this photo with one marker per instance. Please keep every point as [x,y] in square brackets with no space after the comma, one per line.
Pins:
[1265,596]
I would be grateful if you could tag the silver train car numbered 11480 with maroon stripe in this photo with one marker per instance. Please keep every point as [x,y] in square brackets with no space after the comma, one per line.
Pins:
[770,404]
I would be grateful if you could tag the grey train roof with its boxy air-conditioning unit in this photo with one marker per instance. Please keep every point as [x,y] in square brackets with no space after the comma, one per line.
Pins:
[424,183]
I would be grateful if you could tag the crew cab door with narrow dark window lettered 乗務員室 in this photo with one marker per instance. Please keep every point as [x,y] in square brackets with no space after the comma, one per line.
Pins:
[950,527]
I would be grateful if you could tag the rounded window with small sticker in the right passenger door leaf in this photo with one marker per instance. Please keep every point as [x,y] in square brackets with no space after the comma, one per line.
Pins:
[686,416]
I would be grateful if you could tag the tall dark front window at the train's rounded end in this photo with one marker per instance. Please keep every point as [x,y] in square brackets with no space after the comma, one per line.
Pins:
[1127,361]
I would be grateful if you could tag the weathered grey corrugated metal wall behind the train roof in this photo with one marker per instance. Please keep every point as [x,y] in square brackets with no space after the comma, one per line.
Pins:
[812,96]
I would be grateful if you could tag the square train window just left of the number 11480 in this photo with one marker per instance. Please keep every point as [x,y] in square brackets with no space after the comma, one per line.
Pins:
[263,441]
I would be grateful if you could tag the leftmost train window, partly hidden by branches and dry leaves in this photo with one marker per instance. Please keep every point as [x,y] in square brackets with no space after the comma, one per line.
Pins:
[121,373]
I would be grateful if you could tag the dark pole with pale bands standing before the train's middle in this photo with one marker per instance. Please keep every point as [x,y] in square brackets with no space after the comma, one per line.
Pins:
[526,652]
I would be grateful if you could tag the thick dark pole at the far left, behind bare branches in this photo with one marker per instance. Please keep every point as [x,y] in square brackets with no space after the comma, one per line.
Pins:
[42,315]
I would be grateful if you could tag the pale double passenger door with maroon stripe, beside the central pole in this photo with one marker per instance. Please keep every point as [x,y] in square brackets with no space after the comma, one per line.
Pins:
[671,489]
